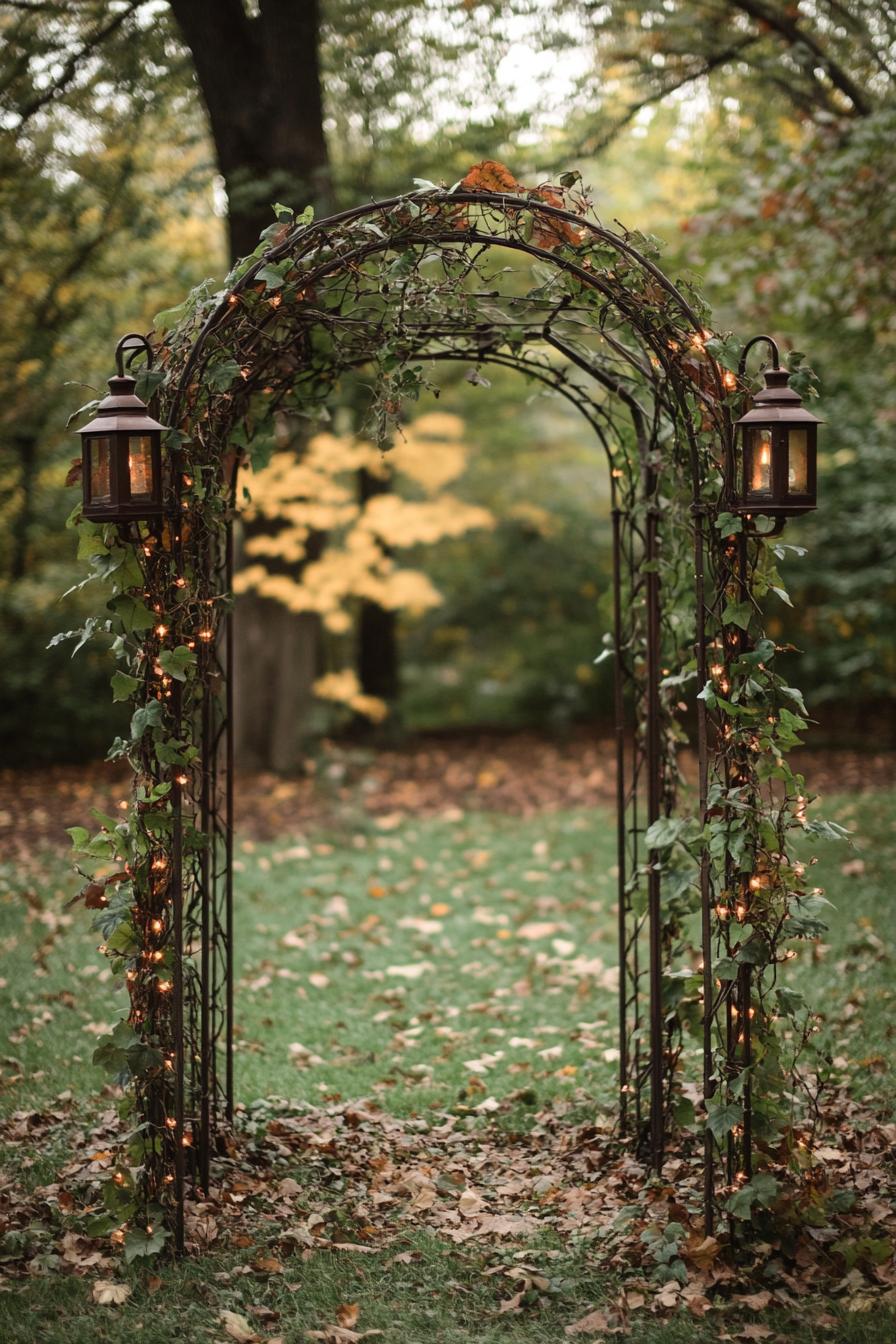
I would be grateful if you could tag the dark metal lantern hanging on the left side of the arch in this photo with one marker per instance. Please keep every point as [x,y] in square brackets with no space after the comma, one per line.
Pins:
[122,454]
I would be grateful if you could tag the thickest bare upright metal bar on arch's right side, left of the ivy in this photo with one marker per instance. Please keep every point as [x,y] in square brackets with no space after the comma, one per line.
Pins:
[655,912]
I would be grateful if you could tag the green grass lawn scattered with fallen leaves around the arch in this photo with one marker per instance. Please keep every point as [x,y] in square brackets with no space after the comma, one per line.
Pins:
[431,966]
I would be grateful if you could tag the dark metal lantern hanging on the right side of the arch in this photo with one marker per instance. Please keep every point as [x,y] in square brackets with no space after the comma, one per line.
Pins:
[777,474]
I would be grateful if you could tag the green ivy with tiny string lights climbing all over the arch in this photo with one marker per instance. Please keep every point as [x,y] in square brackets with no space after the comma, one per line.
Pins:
[713,889]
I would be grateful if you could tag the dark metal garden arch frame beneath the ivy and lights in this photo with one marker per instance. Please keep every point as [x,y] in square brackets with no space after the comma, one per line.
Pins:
[668,392]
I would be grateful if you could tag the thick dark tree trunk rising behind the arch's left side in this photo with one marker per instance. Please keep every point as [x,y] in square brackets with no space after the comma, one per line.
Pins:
[260,79]
